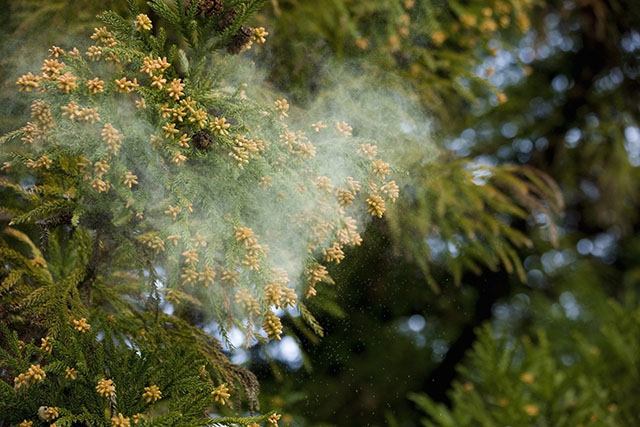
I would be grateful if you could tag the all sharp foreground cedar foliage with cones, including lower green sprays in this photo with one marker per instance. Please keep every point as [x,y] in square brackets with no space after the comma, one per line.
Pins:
[165,200]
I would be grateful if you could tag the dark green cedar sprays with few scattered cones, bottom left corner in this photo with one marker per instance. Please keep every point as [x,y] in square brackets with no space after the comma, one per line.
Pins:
[75,363]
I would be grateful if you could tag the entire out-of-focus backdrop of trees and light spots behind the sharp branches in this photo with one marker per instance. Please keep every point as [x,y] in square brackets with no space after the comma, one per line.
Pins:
[504,288]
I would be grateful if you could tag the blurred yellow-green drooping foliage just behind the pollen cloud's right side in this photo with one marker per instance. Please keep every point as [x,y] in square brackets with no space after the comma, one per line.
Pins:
[436,53]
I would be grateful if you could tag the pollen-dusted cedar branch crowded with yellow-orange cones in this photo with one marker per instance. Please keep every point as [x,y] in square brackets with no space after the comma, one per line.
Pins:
[178,130]
